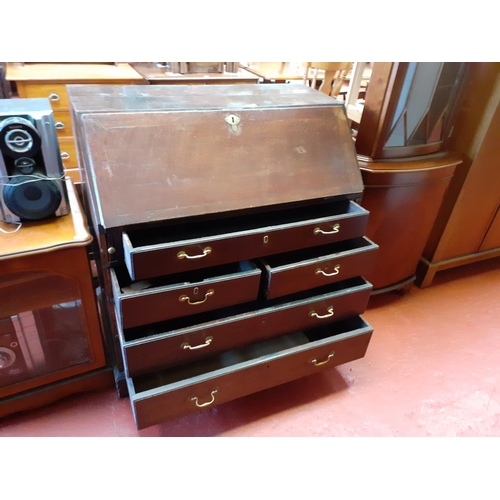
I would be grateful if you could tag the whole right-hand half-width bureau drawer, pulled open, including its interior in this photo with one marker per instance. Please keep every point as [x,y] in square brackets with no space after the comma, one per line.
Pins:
[305,269]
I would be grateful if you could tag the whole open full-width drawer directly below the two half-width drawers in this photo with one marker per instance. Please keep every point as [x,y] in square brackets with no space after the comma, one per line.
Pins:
[153,347]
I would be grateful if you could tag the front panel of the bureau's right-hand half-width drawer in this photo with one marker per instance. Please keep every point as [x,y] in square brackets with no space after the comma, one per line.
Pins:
[328,268]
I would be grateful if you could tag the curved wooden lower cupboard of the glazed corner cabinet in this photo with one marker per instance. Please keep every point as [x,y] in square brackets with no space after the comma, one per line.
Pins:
[403,198]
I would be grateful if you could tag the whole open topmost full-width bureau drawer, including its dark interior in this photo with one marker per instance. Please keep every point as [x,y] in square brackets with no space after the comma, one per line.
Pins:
[158,251]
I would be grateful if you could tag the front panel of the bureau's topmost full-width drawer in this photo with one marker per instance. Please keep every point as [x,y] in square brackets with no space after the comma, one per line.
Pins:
[153,260]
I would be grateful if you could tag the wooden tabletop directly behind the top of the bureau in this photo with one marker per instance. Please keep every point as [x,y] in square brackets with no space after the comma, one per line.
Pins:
[156,74]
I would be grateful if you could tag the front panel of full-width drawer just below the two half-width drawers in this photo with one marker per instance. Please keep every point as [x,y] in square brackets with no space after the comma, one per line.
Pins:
[189,344]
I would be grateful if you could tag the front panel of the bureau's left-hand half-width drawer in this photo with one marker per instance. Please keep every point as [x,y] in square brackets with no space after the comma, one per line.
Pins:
[168,302]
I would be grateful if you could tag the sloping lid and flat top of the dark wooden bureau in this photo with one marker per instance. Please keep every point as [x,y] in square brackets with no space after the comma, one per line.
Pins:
[155,153]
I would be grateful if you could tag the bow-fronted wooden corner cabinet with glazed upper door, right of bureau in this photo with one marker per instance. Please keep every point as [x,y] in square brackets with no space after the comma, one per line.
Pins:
[409,112]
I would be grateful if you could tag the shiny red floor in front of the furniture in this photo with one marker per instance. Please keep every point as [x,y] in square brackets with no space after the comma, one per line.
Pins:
[432,369]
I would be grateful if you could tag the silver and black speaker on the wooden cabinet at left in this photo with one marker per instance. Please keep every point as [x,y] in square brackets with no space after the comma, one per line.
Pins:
[32,183]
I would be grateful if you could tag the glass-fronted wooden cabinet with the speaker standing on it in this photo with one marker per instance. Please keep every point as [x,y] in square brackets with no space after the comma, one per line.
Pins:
[50,335]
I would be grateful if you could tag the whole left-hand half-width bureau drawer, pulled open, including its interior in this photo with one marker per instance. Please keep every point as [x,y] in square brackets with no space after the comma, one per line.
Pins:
[158,299]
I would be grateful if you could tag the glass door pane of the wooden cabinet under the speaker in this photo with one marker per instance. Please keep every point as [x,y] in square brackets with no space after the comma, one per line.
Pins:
[42,327]
